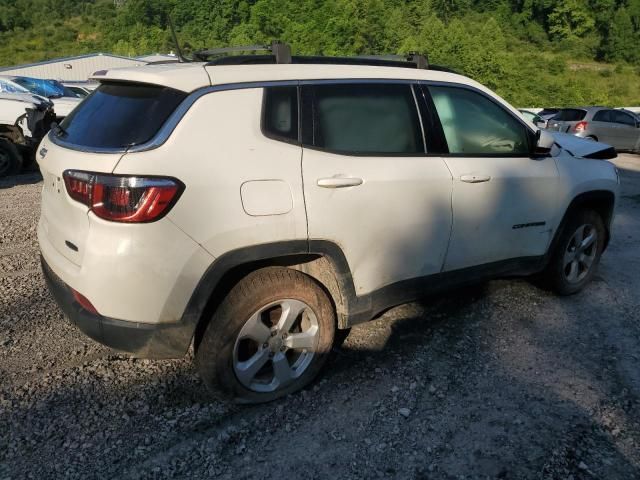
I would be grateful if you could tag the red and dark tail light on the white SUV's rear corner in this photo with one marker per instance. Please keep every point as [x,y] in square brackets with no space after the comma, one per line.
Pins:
[126,199]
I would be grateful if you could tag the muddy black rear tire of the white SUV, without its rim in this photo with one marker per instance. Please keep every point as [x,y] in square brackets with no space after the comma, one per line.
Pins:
[218,353]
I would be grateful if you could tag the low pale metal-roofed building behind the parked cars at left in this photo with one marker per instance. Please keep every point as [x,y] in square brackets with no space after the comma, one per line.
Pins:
[72,69]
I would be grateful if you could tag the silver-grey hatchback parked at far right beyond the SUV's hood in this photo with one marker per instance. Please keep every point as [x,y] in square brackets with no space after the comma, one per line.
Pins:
[618,128]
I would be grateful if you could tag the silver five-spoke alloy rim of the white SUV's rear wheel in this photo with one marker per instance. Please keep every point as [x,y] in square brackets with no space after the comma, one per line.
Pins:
[276,345]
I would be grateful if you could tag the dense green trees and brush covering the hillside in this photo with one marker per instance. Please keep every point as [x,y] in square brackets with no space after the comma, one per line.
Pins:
[533,52]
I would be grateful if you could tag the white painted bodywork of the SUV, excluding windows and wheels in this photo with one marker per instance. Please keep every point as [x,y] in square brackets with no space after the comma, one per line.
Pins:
[381,221]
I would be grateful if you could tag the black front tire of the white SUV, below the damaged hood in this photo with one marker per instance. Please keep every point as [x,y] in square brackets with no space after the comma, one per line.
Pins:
[557,275]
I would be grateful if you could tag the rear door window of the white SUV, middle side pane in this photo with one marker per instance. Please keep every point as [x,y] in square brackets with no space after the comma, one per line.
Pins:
[364,119]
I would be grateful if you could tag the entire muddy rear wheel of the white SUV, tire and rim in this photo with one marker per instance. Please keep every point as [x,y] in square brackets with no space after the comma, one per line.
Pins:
[270,336]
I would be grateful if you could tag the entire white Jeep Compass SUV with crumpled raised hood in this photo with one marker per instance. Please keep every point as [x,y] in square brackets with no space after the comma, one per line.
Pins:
[257,207]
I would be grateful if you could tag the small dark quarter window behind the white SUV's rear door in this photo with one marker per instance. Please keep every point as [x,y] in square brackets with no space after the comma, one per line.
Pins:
[280,113]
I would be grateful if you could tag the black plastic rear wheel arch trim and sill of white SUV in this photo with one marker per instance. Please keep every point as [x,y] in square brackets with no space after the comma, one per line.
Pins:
[226,270]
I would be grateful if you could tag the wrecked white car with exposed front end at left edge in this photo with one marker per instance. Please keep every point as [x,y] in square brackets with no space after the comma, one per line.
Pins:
[24,120]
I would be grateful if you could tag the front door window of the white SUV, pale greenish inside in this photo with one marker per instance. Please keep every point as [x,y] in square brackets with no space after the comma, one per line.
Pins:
[475,125]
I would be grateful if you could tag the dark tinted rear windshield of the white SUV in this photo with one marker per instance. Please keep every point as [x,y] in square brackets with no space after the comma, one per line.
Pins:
[120,115]
